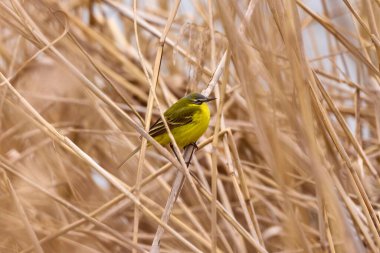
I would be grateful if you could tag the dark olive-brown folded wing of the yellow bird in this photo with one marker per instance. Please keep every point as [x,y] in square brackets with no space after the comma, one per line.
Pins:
[174,118]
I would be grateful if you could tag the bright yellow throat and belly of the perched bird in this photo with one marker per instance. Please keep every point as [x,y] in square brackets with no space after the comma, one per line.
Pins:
[187,134]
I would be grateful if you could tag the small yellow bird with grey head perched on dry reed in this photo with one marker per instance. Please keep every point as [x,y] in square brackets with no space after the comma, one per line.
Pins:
[188,119]
